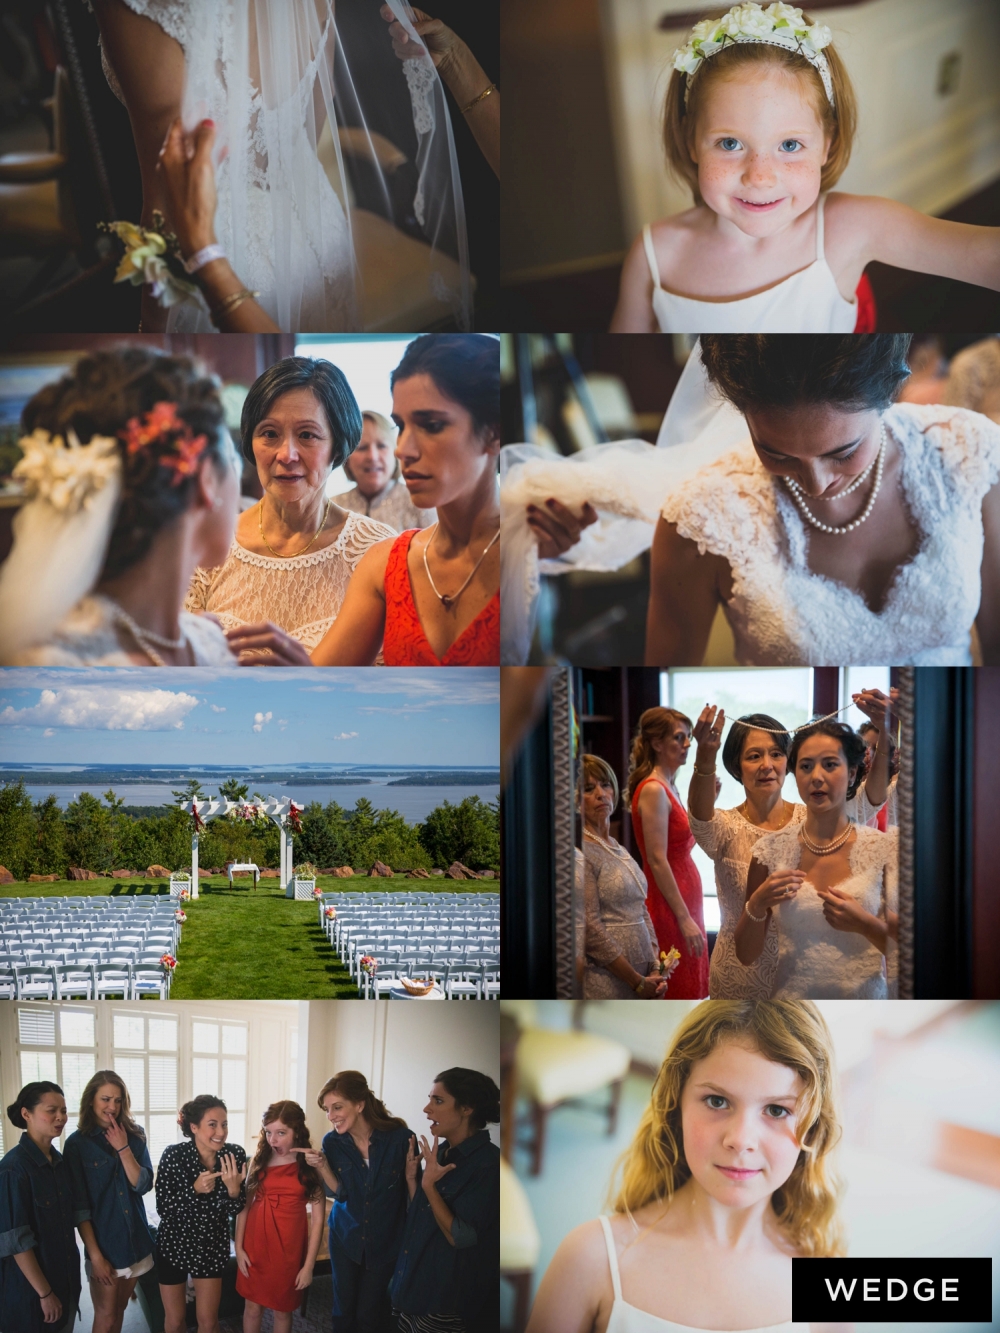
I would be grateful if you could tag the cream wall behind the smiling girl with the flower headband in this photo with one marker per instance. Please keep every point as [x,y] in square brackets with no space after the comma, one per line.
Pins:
[914,145]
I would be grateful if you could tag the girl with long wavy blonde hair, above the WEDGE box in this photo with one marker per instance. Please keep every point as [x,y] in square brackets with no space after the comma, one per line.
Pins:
[727,1180]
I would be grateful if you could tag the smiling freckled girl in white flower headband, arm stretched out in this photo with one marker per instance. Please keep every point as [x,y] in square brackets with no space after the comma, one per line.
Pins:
[759,122]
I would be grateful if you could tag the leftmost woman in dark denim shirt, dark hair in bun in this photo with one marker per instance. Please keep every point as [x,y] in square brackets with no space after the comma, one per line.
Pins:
[39,1262]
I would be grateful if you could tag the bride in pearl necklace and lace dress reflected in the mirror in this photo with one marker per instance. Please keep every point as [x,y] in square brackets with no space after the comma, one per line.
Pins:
[831,880]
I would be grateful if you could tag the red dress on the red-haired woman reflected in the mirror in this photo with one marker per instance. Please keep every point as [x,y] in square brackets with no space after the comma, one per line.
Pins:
[690,980]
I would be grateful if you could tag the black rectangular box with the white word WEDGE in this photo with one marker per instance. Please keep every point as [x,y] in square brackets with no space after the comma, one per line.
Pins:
[893,1291]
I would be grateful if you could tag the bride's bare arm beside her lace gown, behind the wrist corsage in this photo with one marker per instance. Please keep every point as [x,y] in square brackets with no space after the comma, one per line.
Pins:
[150,69]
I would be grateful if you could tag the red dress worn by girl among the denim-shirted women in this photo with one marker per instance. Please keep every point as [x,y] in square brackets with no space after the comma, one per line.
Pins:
[275,1240]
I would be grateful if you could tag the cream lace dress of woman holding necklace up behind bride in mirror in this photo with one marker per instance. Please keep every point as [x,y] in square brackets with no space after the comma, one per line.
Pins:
[730,840]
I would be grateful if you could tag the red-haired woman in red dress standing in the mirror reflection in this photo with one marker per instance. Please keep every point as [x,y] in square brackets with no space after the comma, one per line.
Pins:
[666,842]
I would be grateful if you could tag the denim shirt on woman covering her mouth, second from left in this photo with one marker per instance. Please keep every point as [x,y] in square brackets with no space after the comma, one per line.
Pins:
[105,1198]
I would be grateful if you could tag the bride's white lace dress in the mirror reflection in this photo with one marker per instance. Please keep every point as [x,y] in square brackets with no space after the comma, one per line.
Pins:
[817,962]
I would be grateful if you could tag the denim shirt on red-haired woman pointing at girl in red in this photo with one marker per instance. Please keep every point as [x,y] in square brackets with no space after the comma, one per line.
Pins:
[370,1208]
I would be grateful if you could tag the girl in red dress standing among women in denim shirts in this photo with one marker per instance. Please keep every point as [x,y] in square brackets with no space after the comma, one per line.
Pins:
[277,1240]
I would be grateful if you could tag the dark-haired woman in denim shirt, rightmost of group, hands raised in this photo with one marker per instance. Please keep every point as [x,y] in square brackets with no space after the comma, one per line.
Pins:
[447,1276]
